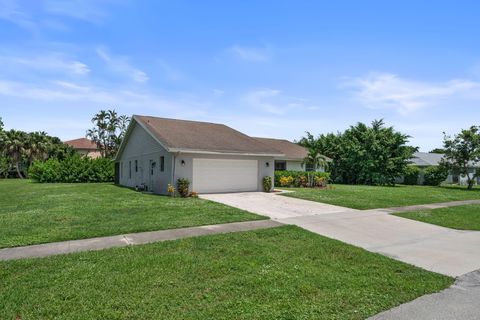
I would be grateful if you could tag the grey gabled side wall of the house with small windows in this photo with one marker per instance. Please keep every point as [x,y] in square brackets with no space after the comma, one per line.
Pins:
[145,150]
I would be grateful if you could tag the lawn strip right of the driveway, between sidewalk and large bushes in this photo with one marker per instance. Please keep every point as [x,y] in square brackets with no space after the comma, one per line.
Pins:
[371,197]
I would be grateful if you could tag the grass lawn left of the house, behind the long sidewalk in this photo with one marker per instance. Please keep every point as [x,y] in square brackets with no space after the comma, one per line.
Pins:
[32,213]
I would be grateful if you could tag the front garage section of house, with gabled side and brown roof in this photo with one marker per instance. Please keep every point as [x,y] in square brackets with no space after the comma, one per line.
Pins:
[213,157]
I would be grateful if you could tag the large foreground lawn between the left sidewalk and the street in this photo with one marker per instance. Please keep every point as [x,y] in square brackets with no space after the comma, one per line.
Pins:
[279,273]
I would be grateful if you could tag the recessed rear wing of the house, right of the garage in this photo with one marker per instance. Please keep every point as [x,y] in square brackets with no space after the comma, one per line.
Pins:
[293,157]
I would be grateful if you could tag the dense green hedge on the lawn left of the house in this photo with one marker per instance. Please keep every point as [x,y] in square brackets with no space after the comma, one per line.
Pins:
[73,169]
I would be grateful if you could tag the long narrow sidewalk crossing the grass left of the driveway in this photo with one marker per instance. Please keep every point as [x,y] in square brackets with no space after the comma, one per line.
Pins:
[54,248]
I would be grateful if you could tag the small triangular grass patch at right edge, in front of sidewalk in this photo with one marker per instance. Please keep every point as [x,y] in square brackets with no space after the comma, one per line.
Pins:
[462,217]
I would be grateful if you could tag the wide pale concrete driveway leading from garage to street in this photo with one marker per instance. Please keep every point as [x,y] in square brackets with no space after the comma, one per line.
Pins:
[447,251]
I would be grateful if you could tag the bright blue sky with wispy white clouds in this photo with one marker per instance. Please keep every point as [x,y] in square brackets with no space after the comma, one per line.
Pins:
[267,68]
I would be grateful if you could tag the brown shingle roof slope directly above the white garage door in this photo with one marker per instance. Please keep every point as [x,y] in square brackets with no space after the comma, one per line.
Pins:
[184,135]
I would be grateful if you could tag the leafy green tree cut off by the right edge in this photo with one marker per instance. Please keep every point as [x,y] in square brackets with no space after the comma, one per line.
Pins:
[462,153]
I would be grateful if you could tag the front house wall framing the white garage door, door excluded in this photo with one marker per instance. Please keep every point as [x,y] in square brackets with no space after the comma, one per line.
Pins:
[186,171]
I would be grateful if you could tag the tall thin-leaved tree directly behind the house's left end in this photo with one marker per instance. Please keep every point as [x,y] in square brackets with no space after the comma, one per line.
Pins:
[108,131]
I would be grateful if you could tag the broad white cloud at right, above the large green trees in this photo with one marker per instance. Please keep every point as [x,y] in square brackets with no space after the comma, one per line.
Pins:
[389,91]
